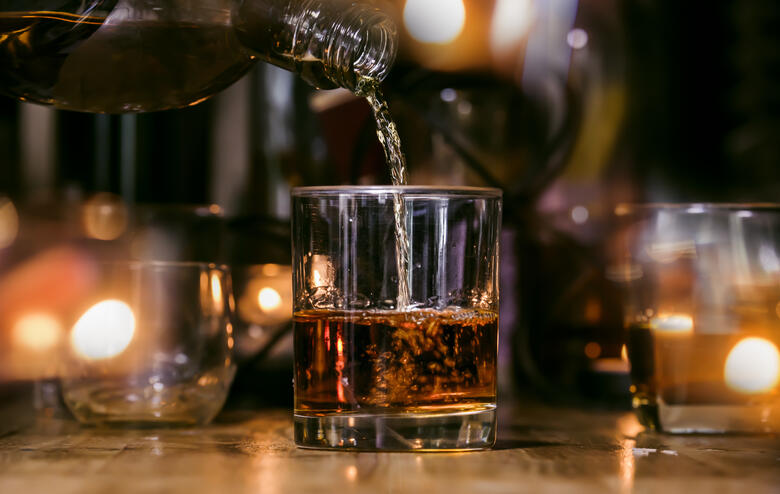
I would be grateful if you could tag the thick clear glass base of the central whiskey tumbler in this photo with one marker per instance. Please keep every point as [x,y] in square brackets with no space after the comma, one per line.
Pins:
[464,431]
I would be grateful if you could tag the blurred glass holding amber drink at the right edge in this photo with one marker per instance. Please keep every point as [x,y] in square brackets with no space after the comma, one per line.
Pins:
[702,309]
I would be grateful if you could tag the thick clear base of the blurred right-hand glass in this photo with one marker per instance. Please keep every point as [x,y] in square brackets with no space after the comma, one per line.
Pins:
[709,419]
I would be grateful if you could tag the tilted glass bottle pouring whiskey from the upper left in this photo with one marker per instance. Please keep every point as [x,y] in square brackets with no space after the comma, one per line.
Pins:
[117,56]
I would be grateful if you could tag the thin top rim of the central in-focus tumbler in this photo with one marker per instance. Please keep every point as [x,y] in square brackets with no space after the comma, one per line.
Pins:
[407,190]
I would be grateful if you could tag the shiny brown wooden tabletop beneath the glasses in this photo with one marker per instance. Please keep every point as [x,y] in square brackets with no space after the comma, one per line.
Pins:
[539,450]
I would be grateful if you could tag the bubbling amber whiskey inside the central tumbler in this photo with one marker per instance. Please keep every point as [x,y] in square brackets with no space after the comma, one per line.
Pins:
[421,361]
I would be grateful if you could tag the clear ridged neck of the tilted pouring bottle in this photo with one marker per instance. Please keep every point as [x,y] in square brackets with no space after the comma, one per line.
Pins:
[330,43]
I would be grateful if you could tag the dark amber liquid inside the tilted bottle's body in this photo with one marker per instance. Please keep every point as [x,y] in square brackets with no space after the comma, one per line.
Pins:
[104,65]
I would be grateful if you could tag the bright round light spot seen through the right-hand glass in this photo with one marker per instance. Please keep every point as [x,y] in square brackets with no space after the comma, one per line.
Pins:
[752,366]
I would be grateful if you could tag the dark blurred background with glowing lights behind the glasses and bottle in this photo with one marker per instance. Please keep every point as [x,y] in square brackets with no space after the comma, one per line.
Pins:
[570,106]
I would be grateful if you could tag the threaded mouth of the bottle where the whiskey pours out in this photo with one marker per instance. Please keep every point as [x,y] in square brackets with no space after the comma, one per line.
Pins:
[365,52]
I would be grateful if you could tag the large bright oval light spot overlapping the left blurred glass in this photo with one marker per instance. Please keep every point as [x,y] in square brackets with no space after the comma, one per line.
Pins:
[104,331]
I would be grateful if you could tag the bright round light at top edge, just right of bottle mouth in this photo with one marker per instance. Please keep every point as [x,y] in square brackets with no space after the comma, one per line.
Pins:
[435,21]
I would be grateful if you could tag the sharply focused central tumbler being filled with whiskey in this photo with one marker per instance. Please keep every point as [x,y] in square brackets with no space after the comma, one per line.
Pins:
[395,334]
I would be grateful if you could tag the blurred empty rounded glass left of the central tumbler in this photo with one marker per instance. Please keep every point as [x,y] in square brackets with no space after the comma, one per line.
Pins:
[151,344]
